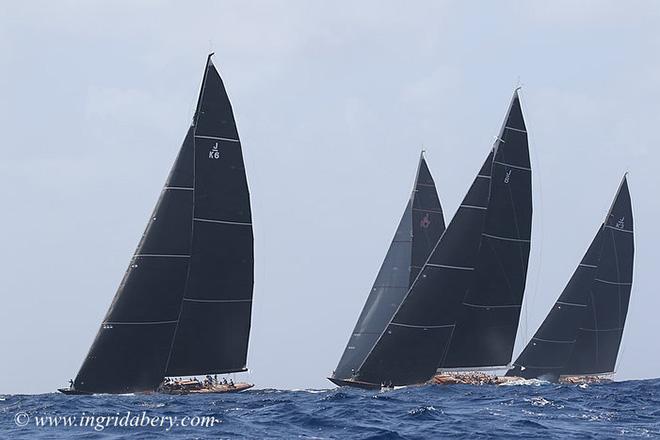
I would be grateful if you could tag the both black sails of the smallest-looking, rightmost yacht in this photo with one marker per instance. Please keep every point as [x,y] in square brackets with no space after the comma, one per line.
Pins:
[582,332]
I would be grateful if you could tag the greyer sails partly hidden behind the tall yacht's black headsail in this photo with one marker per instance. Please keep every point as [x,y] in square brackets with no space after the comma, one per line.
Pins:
[420,227]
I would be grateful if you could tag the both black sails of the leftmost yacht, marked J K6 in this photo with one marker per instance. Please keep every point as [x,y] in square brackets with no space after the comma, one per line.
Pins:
[184,305]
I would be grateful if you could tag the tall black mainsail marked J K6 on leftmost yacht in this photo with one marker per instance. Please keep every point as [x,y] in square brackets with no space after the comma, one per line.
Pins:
[214,323]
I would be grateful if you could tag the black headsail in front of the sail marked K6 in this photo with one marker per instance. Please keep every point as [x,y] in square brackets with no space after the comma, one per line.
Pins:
[132,346]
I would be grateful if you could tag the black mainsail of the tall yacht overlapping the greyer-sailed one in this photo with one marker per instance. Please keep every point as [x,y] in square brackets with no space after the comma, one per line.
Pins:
[486,326]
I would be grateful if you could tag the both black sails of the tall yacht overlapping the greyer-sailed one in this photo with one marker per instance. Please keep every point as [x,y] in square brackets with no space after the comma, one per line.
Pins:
[479,263]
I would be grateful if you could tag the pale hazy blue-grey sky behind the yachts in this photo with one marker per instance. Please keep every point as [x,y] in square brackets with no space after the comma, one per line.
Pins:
[333,102]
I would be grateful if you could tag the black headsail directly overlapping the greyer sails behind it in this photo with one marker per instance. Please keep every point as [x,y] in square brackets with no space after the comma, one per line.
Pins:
[412,345]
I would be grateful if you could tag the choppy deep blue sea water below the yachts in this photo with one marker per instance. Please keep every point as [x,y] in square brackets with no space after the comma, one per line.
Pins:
[541,410]
